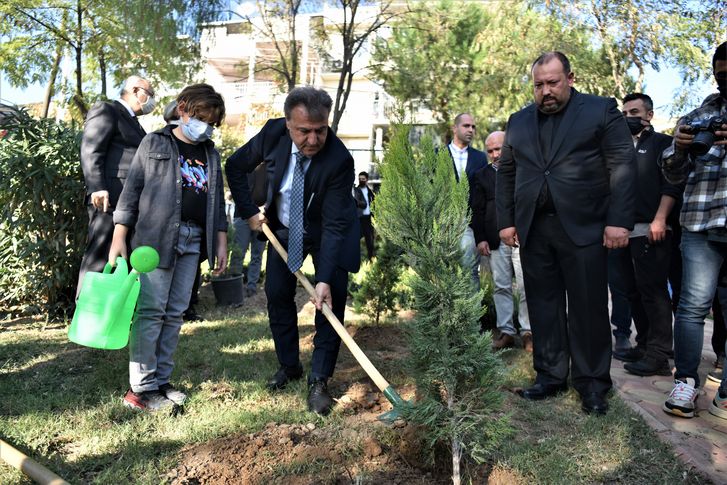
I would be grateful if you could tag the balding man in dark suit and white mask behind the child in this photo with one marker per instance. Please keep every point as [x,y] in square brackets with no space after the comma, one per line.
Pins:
[111,135]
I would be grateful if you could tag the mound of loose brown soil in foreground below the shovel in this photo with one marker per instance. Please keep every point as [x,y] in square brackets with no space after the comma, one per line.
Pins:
[306,454]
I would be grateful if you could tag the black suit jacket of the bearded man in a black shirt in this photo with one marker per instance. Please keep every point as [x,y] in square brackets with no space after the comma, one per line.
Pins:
[591,172]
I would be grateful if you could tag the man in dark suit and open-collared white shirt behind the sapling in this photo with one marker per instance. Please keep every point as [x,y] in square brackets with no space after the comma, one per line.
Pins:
[467,161]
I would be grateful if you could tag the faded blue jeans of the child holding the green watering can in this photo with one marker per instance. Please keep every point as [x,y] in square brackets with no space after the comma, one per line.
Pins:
[164,296]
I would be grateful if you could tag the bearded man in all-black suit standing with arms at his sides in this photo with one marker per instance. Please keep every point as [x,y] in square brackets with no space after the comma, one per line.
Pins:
[565,192]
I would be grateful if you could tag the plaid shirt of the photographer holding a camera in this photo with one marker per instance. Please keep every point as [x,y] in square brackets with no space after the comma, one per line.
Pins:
[705,195]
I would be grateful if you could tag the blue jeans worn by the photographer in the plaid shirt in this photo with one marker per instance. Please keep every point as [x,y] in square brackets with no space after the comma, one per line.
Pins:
[701,260]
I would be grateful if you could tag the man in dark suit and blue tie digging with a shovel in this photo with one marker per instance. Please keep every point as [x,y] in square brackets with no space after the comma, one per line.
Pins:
[310,208]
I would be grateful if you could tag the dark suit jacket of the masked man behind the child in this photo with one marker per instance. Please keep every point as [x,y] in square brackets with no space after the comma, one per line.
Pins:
[110,139]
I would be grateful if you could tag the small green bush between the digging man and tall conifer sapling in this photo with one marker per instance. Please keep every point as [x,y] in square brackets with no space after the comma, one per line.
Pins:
[377,294]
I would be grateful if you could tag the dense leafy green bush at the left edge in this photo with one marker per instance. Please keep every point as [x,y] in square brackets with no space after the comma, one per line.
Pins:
[44,220]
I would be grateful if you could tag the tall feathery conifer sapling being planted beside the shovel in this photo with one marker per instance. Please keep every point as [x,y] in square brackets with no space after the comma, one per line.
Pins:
[423,210]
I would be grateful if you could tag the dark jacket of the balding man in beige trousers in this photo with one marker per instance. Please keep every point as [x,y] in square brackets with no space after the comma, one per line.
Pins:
[484,216]
